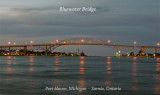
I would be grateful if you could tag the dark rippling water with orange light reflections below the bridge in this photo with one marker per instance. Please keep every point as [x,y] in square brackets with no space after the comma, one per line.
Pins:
[84,75]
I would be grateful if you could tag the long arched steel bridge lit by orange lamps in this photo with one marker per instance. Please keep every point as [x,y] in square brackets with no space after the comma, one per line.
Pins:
[49,47]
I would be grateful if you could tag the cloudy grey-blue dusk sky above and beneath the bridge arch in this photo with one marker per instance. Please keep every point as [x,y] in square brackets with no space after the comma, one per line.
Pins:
[121,21]
